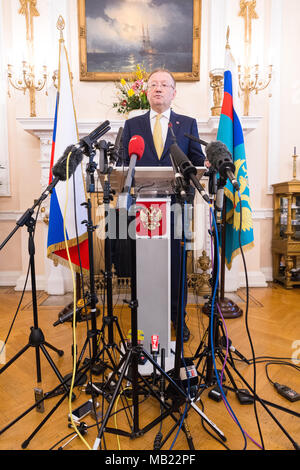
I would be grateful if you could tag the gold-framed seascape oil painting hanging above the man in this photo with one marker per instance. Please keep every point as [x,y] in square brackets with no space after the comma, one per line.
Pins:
[116,35]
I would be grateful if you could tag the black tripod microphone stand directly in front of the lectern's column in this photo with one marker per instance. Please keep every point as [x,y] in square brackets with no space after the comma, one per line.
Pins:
[130,360]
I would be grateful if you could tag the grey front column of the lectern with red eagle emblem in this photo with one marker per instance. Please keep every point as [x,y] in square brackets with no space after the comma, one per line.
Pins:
[153,255]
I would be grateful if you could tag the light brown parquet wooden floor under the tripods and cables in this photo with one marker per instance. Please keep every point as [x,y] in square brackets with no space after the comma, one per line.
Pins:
[273,321]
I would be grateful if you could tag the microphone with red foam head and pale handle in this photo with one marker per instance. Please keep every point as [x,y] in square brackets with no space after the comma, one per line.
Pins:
[136,149]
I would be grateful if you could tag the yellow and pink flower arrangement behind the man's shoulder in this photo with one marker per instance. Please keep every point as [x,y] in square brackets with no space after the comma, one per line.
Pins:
[132,94]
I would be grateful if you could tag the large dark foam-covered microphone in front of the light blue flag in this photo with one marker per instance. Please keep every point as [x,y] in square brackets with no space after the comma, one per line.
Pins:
[220,158]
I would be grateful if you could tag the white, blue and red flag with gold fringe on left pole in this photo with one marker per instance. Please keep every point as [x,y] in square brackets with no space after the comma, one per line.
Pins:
[66,212]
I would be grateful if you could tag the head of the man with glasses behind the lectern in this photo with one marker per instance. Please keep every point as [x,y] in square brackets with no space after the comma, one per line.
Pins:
[161,91]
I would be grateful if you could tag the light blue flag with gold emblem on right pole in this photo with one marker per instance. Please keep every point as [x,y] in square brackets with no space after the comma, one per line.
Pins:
[230,132]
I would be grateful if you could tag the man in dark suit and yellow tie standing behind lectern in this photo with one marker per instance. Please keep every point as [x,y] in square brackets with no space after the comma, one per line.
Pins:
[153,127]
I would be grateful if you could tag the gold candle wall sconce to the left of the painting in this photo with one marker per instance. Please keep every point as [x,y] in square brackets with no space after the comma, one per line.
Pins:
[28,80]
